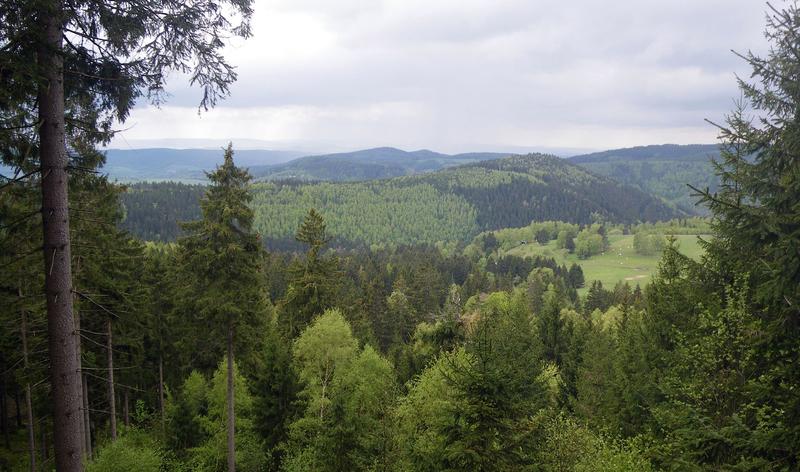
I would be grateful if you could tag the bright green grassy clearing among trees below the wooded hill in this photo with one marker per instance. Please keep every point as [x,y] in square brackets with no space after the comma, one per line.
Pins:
[619,262]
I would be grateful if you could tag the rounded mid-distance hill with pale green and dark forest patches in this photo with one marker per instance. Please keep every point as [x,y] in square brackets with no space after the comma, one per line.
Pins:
[448,205]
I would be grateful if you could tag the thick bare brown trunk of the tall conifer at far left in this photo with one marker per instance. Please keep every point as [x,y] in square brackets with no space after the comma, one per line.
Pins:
[64,373]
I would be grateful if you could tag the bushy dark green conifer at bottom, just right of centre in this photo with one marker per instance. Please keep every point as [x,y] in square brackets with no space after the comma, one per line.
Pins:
[496,388]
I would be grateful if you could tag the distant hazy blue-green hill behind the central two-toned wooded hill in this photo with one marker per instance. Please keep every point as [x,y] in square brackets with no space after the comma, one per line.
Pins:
[367,164]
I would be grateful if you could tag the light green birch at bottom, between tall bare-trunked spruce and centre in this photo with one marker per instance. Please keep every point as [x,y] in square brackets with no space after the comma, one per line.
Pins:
[348,394]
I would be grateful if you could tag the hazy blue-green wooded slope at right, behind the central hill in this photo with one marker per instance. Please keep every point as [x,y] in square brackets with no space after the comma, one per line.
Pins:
[663,170]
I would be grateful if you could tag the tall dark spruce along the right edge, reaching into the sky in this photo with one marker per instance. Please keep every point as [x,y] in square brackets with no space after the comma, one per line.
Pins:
[757,232]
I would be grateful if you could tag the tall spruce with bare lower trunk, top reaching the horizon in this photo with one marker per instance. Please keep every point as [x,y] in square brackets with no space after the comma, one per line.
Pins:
[221,261]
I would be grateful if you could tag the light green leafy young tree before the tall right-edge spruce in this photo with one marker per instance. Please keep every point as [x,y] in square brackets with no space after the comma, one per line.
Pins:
[710,388]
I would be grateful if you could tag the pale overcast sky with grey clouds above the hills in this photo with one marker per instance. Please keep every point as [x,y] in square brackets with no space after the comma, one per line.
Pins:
[470,75]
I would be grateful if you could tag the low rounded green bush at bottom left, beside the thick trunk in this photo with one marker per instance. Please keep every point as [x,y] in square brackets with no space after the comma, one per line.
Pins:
[134,450]
